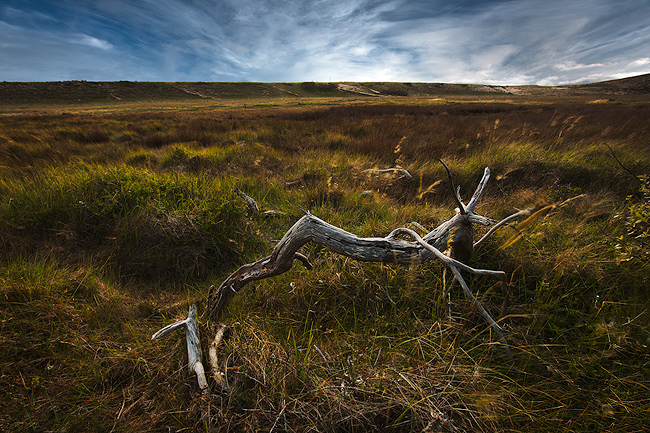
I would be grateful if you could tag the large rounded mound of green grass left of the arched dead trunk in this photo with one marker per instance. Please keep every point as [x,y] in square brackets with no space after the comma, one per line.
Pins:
[143,225]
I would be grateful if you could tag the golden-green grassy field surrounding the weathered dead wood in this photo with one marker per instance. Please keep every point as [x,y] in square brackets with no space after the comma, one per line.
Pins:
[115,218]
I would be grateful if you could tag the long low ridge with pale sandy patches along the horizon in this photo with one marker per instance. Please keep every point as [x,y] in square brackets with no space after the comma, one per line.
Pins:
[12,93]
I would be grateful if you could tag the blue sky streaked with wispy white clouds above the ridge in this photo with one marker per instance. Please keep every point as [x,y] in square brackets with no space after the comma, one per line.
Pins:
[500,42]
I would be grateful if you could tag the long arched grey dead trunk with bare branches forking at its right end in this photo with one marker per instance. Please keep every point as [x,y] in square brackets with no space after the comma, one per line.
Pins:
[454,236]
